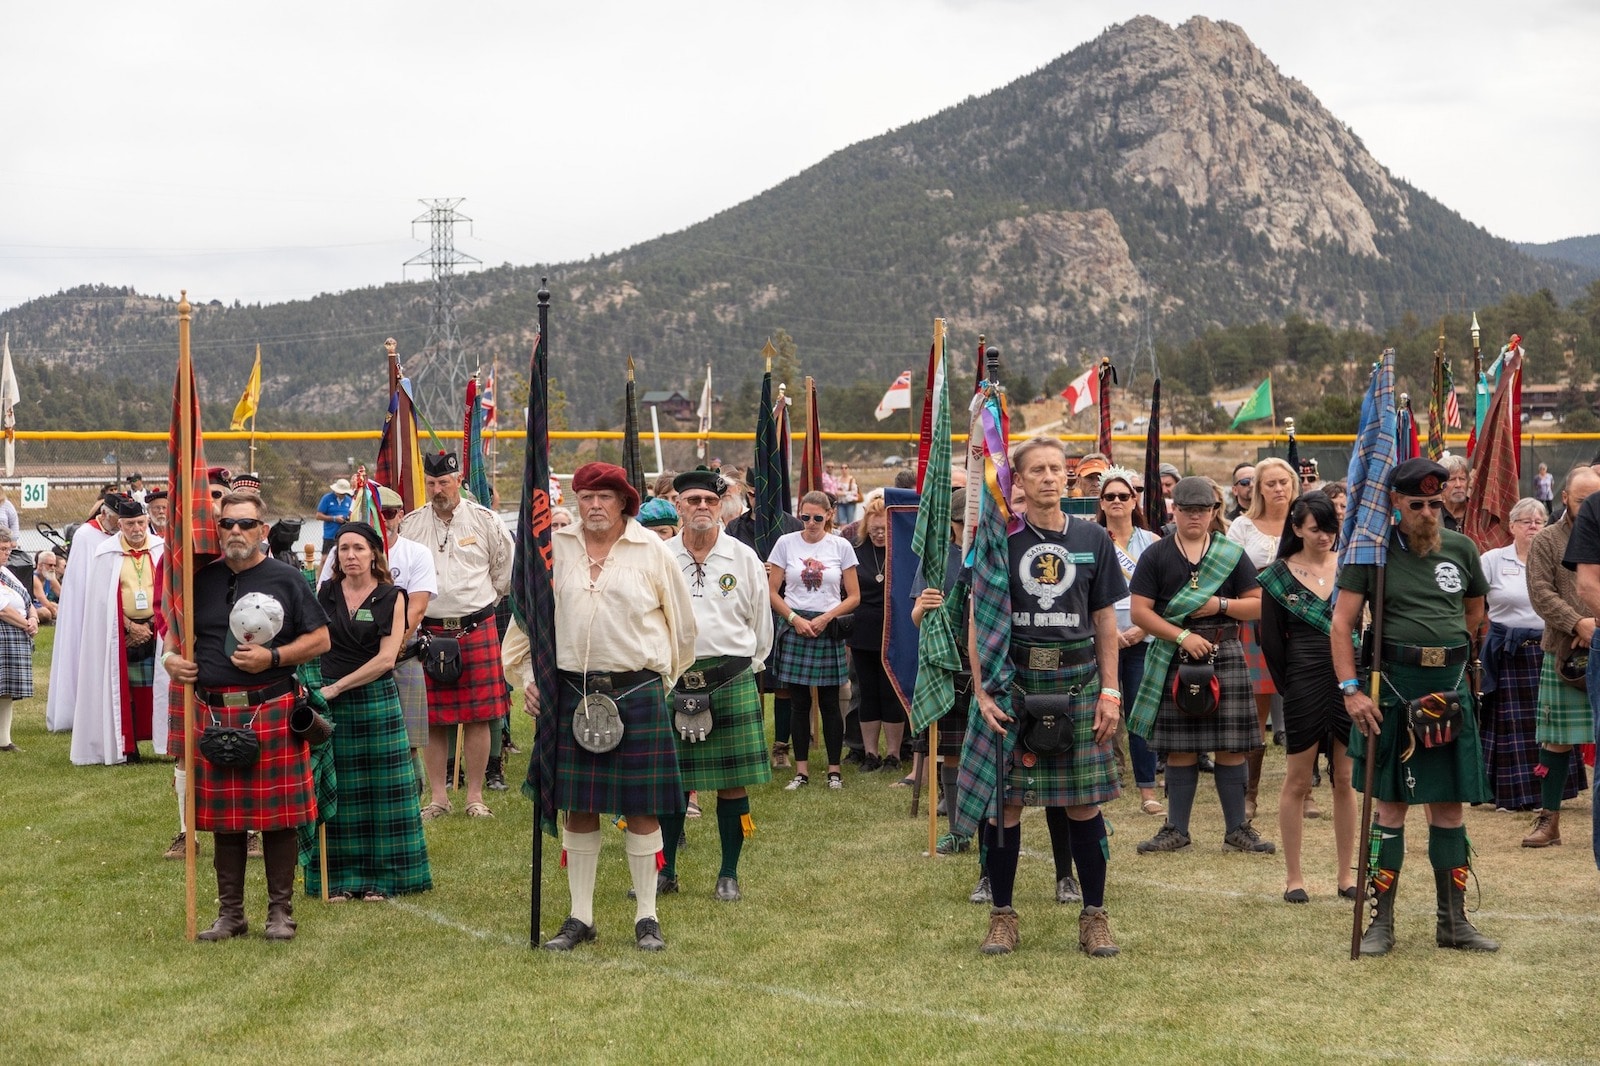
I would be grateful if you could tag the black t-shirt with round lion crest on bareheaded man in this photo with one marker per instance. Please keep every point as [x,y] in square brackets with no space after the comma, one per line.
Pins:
[1060,580]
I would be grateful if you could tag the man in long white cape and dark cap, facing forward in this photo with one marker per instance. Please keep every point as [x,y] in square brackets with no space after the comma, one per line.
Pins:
[118,646]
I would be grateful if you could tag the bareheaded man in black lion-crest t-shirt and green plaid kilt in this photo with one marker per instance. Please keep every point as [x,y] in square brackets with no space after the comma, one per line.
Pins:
[1055,711]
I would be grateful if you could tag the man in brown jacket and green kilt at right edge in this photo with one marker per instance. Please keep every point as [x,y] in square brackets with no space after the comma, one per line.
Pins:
[1566,718]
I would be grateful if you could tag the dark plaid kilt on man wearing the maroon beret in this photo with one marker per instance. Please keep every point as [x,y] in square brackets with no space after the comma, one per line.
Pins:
[638,777]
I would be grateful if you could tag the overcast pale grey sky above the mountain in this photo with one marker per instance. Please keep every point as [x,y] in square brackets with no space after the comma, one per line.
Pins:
[266,153]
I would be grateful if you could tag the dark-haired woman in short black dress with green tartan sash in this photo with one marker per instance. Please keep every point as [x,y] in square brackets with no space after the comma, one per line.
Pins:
[1297,617]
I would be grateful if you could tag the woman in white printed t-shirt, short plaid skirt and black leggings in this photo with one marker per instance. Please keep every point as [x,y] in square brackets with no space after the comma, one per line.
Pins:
[817,572]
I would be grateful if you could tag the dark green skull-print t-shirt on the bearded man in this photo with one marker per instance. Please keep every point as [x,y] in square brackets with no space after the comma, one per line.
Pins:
[1423,598]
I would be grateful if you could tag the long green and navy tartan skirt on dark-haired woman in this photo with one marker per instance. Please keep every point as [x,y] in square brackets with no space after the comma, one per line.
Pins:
[375,840]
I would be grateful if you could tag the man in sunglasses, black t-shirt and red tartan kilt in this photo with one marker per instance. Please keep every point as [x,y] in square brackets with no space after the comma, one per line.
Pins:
[255,622]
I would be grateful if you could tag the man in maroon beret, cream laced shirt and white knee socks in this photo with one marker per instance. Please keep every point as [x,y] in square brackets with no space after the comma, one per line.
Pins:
[625,635]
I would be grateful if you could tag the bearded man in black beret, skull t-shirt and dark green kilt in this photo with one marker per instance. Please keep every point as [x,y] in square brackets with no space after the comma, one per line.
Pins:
[1423,732]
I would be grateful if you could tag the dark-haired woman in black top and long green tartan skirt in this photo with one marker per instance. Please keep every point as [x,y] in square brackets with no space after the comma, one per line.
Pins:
[375,840]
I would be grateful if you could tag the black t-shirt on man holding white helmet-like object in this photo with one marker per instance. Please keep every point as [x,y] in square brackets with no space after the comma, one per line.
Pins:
[218,590]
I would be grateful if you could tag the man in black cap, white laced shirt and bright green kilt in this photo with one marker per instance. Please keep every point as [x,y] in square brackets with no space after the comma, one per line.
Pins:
[726,751]
